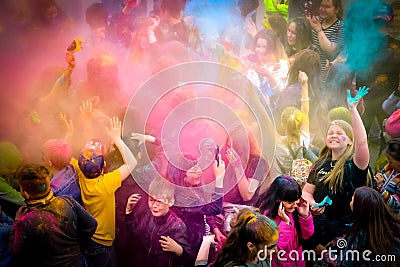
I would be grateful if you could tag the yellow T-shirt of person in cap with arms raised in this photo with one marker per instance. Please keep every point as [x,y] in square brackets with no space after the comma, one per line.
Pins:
[99,200]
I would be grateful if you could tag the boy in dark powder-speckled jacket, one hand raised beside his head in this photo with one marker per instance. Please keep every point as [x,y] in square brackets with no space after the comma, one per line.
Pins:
[163,233]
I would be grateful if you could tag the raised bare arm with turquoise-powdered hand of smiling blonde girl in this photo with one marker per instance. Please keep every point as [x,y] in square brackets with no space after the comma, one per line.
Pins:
[361,151]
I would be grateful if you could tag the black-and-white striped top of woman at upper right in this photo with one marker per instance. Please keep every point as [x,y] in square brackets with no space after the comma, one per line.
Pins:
[335,34]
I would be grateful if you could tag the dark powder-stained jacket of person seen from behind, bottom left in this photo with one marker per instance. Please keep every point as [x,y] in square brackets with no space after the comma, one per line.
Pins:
[51,232]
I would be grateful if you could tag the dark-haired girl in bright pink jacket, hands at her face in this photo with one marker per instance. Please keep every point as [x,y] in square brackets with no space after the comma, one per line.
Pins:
[283,202]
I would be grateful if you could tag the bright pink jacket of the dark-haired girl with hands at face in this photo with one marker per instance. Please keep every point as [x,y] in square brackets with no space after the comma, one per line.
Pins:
[289,240]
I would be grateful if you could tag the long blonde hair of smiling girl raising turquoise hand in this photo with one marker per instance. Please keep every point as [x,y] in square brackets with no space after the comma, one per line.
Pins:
[335,177]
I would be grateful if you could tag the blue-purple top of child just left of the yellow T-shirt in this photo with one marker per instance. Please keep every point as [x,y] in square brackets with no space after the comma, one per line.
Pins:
[65,183]
